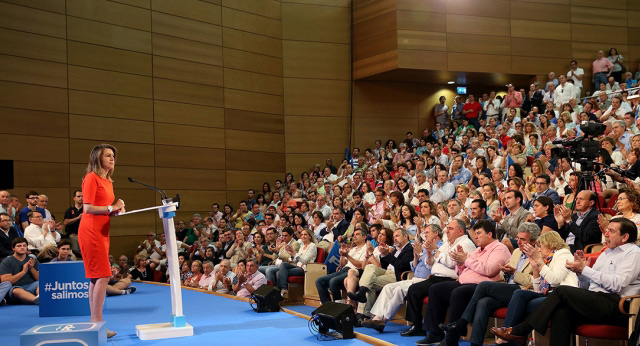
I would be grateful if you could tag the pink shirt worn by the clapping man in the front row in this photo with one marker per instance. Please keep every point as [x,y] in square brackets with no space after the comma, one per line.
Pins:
[483,264]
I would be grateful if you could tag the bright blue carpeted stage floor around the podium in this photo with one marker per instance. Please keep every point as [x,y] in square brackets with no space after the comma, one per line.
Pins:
[216,320]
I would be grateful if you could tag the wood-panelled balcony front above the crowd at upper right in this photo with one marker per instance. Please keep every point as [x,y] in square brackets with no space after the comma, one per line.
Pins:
[531,37]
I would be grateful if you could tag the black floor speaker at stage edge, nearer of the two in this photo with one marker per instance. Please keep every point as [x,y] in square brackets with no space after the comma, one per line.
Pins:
[336,316]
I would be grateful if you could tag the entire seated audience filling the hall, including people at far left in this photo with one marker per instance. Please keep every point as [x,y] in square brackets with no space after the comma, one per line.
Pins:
[476,215]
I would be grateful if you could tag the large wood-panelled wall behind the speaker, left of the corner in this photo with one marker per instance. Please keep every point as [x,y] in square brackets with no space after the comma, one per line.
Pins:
[191,92]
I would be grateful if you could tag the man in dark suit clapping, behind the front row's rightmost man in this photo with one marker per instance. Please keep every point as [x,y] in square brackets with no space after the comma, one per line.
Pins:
[583,223]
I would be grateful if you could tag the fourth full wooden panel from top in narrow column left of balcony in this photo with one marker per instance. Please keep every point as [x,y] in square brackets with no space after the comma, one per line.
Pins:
[303,135]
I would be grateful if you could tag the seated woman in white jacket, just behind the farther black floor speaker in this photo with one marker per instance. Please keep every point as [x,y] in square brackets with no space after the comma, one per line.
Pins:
[297,264]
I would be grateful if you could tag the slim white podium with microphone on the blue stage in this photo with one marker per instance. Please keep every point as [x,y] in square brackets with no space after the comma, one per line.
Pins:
[177,325]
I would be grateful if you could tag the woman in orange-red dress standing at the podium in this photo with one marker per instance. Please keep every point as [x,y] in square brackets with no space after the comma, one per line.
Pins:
[93,233]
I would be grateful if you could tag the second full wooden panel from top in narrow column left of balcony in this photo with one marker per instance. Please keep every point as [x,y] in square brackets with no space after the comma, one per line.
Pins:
[316,60]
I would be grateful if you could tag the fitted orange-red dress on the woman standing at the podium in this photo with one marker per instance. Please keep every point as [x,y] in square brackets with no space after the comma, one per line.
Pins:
[93,233]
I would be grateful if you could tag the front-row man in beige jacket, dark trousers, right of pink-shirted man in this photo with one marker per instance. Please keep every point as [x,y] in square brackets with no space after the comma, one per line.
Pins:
[490,295]
